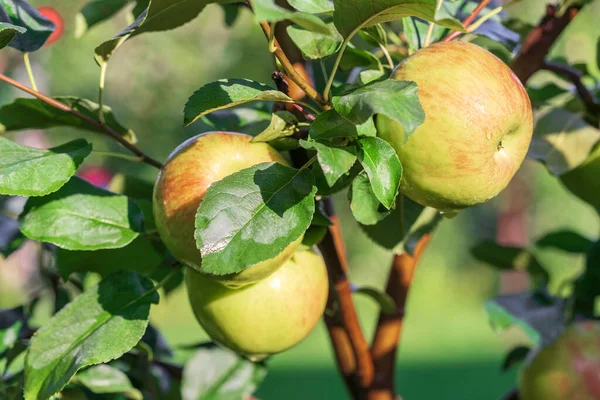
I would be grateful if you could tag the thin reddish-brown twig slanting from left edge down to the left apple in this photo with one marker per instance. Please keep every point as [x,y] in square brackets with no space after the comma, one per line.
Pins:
[103,128]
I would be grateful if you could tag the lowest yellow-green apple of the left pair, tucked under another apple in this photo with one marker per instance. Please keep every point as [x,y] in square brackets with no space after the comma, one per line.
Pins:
[267,317]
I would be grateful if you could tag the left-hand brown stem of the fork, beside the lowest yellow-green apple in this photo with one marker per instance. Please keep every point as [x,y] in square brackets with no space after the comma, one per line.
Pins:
[356,366]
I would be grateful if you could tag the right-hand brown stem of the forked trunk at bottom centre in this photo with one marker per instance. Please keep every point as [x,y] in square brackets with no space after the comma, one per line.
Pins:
[389,326]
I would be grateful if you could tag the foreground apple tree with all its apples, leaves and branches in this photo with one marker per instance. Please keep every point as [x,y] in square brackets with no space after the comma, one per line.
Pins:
[423,109]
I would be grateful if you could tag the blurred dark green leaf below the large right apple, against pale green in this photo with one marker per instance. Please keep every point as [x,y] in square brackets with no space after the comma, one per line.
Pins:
[516,258]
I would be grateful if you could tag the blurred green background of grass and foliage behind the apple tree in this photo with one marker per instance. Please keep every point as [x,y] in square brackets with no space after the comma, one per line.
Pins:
[448,349]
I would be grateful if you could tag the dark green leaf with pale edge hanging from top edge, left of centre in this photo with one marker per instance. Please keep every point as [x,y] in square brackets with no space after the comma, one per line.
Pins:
[161,15]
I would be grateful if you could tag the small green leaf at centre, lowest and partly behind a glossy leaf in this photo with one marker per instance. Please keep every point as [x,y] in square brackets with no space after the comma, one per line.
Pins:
[365,206]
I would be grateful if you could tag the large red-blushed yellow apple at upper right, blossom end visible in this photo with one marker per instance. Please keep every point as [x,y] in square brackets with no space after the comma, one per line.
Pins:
[477,129]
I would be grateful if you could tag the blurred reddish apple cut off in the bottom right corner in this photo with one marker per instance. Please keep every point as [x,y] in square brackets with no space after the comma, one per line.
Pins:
[568,369]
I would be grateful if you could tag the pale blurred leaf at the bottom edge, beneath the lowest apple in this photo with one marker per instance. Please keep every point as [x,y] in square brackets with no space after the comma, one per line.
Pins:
[215,373]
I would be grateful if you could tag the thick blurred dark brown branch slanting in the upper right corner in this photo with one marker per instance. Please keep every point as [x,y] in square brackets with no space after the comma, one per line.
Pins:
[539,41]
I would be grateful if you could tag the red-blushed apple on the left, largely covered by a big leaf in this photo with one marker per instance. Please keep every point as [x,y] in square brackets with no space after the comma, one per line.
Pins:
[183,182]
